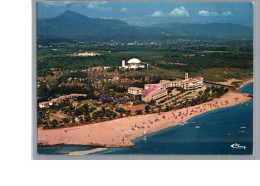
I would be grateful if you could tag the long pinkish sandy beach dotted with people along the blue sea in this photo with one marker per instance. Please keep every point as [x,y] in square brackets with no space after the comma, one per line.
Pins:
[121,132]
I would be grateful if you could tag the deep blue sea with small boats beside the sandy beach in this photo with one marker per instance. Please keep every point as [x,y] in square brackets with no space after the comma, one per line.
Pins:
[211,133]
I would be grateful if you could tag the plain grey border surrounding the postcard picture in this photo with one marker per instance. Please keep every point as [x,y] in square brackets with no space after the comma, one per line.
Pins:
[256,100]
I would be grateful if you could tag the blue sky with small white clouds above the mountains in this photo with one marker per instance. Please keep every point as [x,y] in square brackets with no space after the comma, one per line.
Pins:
[148,13]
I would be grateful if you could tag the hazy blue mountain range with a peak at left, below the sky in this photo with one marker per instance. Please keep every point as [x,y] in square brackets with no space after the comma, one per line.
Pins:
[71,25]
